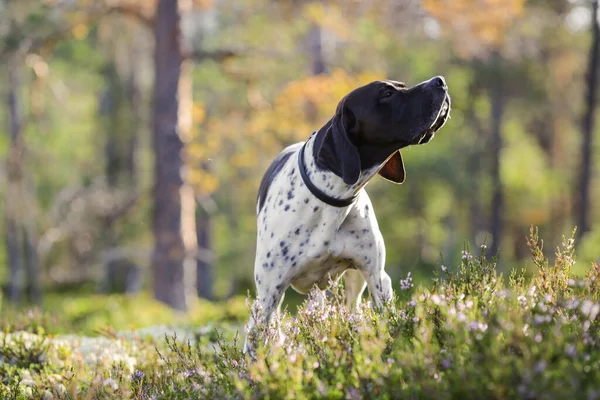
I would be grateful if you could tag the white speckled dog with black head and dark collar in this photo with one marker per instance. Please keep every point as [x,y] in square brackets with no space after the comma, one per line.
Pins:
[315,220]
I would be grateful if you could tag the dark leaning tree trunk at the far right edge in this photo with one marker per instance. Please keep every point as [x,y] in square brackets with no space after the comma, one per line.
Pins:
[583,201]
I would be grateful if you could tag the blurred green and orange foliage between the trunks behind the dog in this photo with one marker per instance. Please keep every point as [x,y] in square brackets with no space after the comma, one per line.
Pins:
[247,108]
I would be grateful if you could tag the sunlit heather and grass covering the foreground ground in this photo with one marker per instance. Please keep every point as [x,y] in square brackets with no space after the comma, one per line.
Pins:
[471,333]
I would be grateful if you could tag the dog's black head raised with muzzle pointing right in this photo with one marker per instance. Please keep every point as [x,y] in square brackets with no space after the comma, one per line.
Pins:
[372,123]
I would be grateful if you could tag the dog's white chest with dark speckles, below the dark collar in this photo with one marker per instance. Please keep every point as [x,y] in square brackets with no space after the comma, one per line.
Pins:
[302,241]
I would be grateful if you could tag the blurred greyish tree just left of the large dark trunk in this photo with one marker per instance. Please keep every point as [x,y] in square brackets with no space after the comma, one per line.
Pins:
[121,107]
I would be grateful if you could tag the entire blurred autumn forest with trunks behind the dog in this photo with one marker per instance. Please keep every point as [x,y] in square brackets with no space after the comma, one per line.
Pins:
[134,134]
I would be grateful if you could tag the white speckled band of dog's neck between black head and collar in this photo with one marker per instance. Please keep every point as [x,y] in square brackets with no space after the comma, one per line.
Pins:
[325,180]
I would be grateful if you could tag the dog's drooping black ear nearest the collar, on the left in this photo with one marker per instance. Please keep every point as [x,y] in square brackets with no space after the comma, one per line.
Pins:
[337,150]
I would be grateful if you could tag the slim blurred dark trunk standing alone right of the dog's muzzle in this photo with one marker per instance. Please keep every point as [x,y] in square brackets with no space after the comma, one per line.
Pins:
[497,104]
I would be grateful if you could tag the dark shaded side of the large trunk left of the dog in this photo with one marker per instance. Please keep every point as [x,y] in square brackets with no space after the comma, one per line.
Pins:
[169,251]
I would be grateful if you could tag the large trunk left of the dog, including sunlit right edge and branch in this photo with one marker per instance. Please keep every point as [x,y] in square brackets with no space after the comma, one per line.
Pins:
[174,221]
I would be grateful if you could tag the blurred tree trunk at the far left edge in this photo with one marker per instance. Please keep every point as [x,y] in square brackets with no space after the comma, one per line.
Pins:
[20,208]
